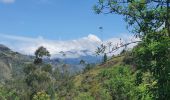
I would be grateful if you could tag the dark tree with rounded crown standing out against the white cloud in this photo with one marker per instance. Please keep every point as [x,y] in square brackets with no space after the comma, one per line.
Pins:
[39,54]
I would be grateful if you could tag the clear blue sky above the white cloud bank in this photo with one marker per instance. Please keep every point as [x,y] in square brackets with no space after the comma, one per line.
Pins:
[57,19]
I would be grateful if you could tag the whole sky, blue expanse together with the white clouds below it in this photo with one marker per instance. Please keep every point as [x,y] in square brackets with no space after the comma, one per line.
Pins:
[58,25]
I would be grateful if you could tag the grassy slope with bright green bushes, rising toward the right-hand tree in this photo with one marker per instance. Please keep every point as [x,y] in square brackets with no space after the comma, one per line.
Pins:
[113,80]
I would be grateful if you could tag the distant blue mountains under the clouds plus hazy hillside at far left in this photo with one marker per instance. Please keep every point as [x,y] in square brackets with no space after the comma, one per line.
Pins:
[12,63]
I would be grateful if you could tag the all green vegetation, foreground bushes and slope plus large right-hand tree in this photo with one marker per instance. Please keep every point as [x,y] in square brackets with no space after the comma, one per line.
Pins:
[139,74]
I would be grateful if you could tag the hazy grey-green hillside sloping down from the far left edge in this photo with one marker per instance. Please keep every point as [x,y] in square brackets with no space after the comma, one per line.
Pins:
[11,63]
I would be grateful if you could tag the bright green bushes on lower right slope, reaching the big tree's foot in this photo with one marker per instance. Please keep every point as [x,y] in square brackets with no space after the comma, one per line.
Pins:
[120,83]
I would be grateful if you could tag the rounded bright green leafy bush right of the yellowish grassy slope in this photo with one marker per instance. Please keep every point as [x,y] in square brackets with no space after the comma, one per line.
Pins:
[119,82]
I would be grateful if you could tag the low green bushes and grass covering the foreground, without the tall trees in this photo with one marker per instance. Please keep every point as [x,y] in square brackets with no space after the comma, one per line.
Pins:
[111,80]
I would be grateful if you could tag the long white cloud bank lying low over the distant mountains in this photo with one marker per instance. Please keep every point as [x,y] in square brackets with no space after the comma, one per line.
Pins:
[28,45]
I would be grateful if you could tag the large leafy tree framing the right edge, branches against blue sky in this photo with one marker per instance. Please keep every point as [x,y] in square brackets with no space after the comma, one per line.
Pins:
[149,20]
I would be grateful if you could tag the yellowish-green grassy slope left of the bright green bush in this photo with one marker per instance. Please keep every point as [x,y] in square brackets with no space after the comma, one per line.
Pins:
[91,82]
